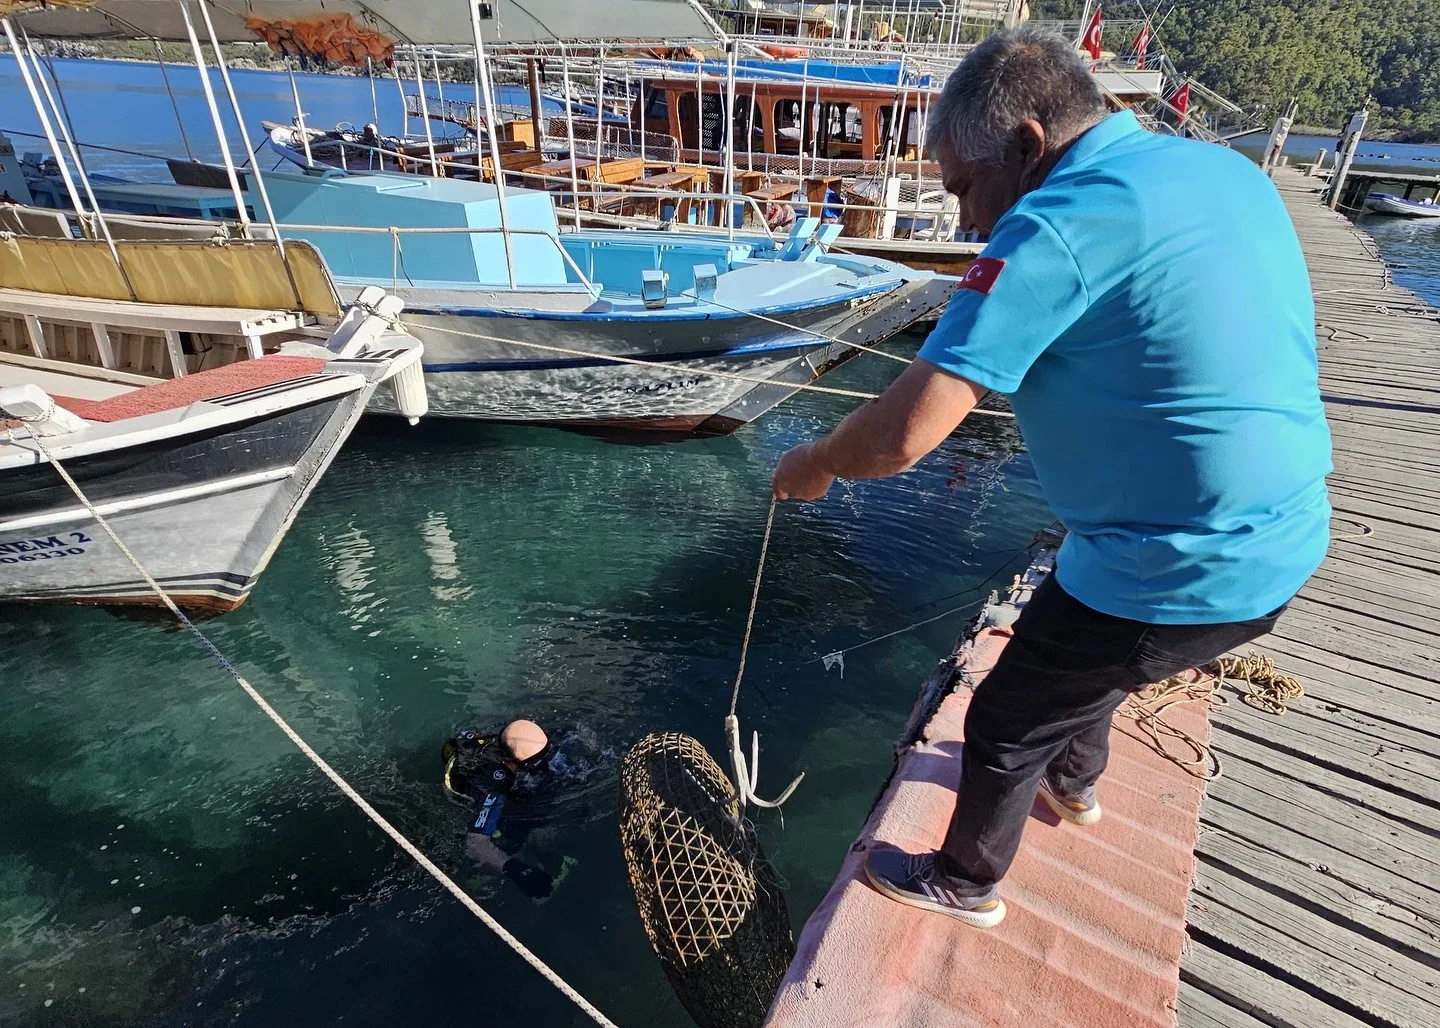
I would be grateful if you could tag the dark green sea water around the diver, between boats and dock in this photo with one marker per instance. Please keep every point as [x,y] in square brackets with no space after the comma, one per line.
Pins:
[169,859]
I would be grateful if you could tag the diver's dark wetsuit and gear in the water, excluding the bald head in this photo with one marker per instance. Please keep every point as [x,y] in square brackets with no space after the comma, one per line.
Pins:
[480,770]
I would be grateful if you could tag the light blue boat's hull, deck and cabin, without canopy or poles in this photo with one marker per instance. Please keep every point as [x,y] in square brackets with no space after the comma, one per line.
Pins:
[680,332]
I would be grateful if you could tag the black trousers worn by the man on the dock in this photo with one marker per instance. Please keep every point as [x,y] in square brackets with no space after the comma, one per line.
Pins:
[1048,706]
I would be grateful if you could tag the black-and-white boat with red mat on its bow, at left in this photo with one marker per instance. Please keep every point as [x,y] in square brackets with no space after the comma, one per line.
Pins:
[201,476]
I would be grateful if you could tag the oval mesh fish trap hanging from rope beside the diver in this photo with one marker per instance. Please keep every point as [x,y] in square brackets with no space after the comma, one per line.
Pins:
[708,896]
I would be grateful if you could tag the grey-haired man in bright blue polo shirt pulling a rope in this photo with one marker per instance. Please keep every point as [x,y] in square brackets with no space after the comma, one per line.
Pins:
[1146,307]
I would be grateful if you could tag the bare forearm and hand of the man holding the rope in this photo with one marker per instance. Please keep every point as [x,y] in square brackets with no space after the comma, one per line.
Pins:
[888,436]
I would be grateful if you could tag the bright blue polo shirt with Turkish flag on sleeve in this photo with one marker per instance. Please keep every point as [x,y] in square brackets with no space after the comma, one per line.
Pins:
[1150,316]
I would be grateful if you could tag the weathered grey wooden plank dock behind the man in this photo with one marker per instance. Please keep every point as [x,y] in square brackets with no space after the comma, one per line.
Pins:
[1317,898]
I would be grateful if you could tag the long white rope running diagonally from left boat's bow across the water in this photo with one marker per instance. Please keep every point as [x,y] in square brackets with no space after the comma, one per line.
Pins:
[320,762]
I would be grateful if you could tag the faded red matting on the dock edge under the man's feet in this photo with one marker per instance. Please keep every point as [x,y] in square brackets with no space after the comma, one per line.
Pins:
[1097,919]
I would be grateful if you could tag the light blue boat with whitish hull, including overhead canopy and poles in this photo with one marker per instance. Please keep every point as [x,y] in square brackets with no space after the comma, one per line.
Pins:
[522,322]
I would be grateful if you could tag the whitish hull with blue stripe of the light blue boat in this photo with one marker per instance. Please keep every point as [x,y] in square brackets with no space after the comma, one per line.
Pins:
[680,384]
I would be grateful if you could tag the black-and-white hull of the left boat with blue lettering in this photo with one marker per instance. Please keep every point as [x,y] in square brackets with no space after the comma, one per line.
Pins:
[202,512]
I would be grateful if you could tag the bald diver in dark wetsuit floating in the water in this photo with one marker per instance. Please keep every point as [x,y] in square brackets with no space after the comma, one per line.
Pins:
[498,775]
